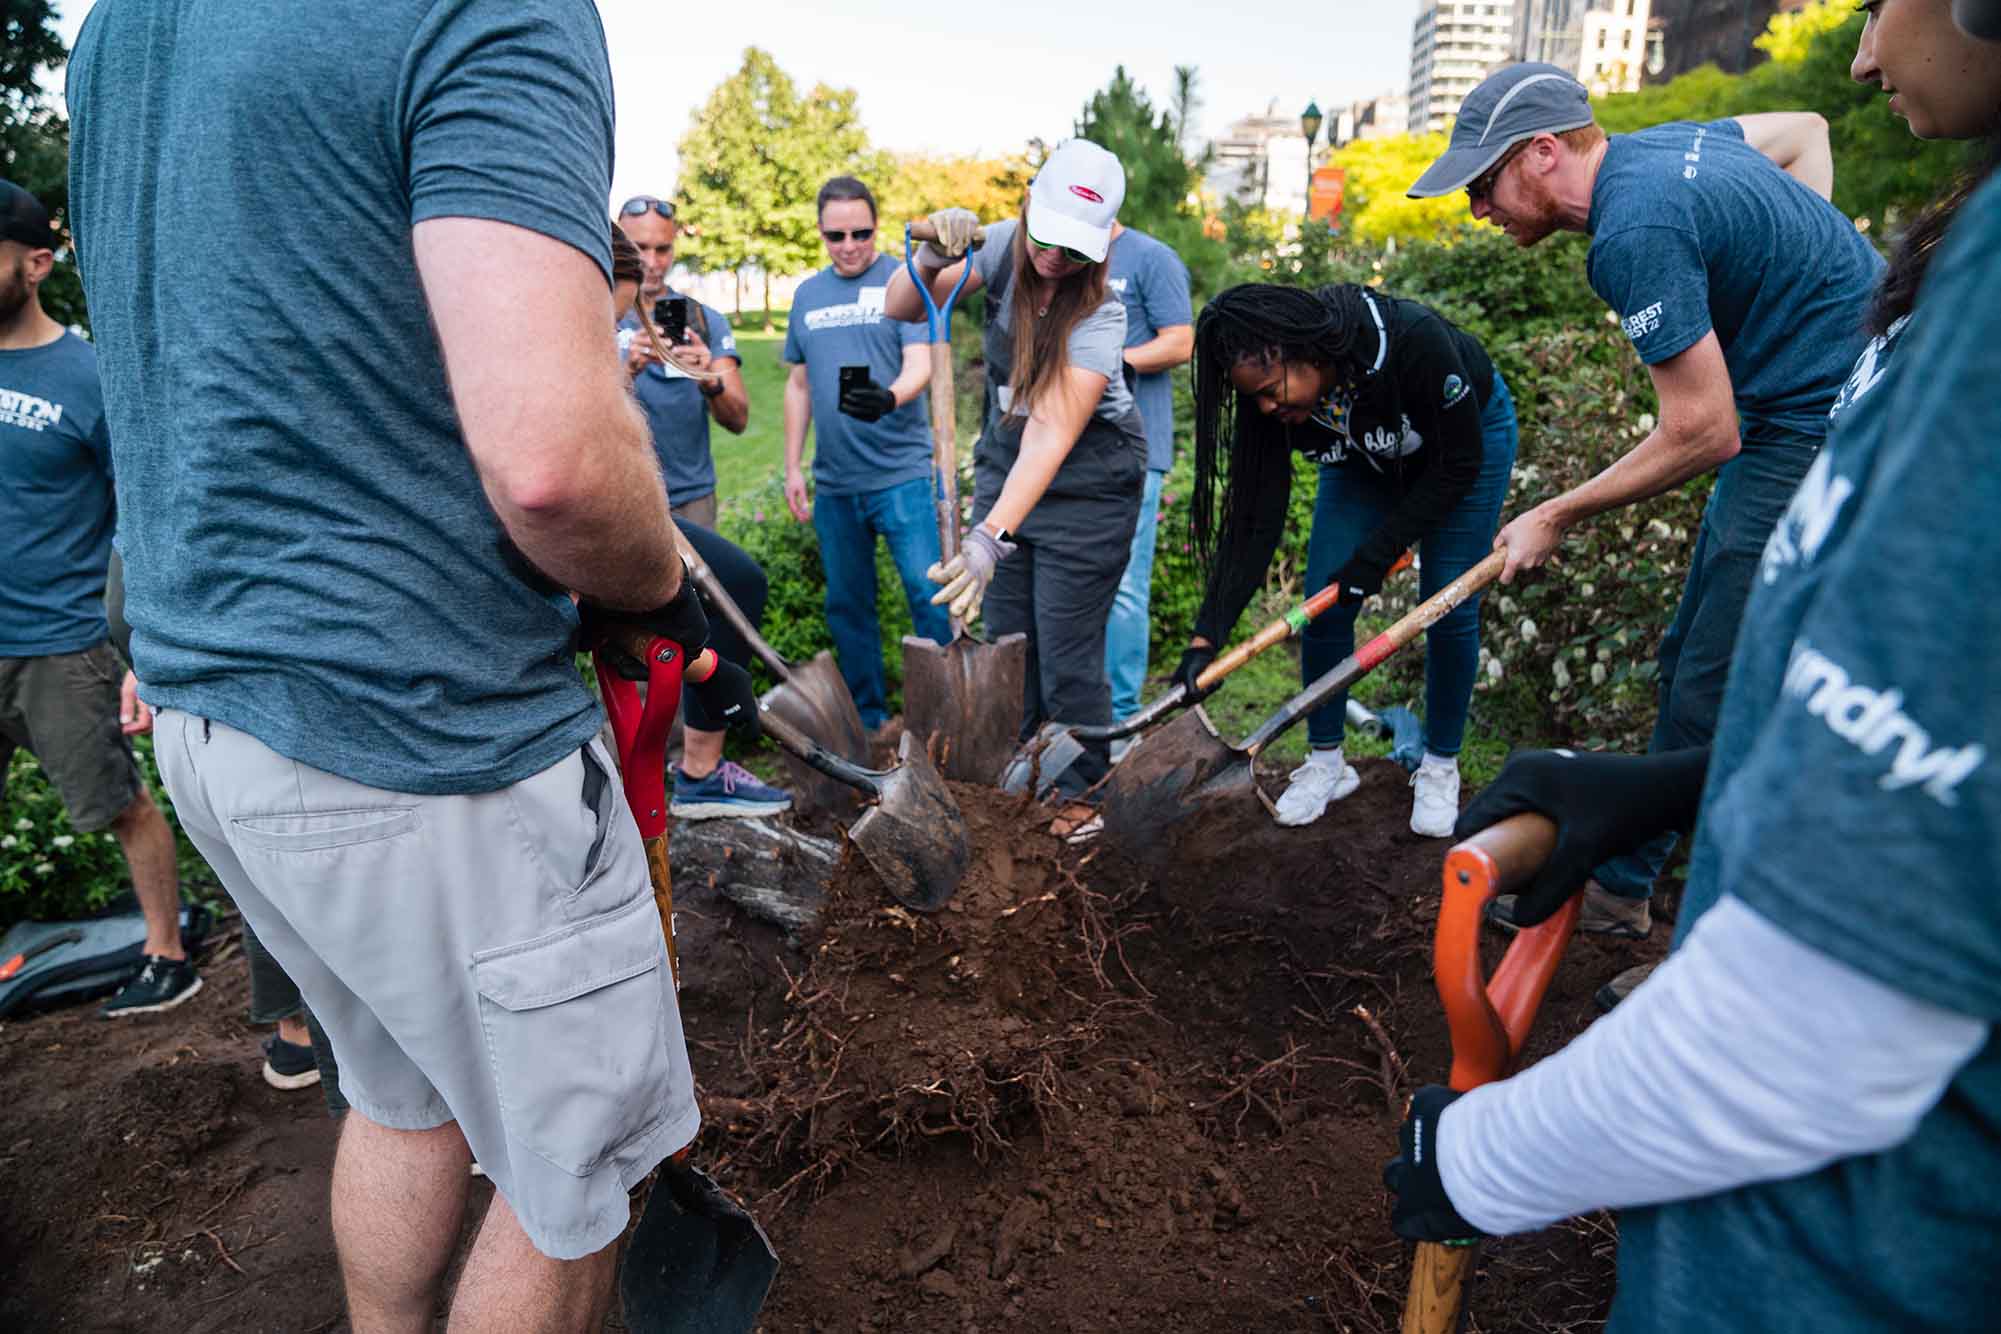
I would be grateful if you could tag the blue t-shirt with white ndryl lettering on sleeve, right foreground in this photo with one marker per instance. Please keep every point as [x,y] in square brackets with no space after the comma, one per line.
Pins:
[1854,801]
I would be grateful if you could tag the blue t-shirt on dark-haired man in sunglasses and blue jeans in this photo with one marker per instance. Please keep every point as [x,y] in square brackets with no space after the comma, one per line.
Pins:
[839,323]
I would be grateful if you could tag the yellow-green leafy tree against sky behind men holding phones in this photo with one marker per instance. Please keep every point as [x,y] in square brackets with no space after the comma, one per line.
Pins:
[753,163]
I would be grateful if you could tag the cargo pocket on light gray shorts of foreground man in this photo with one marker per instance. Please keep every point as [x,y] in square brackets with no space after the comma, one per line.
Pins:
[573,1029]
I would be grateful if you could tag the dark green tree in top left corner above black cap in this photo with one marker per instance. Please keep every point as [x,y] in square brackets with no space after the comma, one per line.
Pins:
[35,139]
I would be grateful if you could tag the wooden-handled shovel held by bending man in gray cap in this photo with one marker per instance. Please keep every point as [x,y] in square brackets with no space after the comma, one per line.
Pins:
[1186,767]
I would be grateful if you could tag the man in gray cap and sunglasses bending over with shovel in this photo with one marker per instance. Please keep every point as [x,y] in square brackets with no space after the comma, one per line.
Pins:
[1742,291]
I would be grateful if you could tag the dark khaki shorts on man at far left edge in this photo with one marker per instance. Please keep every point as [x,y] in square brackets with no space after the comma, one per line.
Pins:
[63,711]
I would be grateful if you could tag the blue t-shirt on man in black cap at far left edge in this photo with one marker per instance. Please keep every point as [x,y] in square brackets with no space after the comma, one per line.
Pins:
[55,499]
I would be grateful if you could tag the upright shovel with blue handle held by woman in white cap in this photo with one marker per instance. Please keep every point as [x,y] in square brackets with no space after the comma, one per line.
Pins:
[961,699]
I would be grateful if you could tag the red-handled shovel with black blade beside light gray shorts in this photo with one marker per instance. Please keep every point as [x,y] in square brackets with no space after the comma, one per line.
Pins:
[697,1263]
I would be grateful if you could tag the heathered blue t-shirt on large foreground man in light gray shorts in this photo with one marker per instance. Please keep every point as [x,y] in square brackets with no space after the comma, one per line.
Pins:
[309,553]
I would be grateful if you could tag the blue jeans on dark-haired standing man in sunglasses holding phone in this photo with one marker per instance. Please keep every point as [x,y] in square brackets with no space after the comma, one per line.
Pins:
[847,527]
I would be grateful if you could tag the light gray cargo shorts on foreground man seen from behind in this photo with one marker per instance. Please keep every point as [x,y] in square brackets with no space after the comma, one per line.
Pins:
[489,959]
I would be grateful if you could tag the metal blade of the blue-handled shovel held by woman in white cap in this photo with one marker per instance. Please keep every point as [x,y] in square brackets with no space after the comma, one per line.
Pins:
[963,703]
